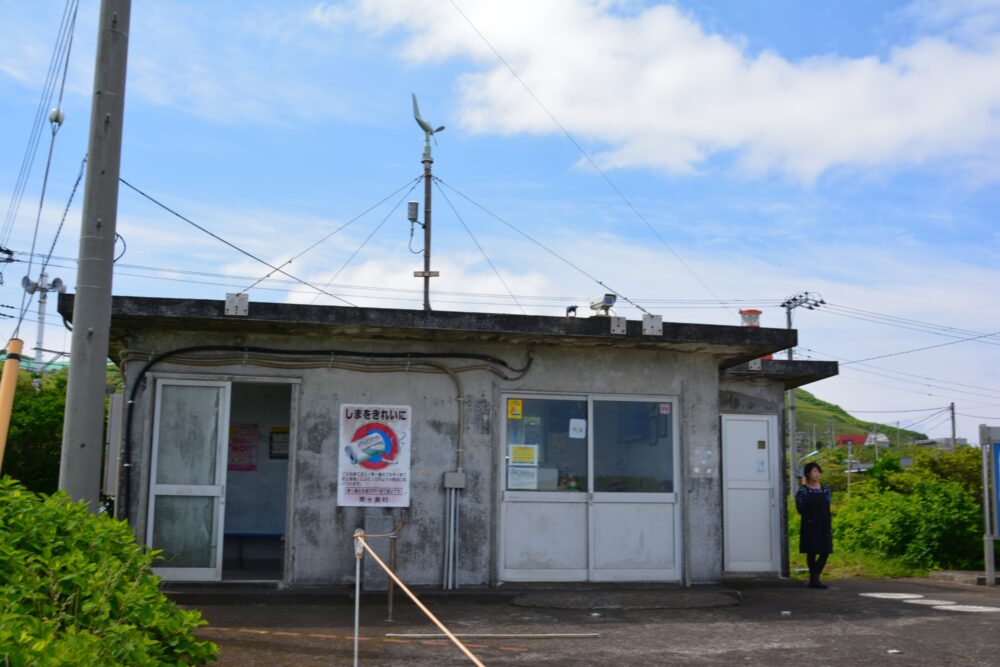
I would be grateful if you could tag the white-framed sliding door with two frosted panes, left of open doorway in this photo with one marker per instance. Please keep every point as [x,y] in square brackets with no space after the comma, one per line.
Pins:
[187,479]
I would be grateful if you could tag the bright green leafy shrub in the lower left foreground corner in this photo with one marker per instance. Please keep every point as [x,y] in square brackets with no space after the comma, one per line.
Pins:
[75,589]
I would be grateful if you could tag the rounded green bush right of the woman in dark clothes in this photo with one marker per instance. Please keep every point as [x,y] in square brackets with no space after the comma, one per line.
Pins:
[937,524]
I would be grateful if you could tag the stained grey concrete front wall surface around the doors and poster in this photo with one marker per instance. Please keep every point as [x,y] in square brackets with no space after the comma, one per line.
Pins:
[320,532]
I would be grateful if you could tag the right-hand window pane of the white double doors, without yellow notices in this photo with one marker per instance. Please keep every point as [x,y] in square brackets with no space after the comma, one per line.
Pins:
[633,447]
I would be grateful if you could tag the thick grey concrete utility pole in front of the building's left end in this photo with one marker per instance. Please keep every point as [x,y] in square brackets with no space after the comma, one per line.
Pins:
[83,426]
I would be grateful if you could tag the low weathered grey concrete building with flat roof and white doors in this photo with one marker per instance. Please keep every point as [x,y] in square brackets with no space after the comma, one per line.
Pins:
[509,448]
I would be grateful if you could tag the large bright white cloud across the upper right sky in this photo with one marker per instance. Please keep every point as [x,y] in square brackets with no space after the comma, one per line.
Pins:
[654,89]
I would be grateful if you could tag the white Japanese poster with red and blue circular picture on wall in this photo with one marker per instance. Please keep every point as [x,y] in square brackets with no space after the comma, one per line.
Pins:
[374,457]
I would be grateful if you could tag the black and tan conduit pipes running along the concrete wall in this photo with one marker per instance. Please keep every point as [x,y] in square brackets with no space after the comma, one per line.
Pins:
[365,362]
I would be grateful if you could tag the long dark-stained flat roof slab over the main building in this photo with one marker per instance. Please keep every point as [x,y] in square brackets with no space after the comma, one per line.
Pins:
[732,345]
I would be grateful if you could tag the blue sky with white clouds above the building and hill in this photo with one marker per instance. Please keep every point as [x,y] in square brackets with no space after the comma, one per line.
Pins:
[847,148]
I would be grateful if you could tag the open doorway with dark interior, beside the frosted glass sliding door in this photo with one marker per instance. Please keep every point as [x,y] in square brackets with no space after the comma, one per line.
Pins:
[257,481]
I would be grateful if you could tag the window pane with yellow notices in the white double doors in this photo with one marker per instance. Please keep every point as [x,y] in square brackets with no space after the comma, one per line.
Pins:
[546,444]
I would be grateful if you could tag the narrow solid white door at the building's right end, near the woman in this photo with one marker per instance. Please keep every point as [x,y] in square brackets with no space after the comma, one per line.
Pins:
[750,467]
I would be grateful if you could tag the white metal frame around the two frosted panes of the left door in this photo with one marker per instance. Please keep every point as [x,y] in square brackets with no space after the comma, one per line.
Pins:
[216,490]
